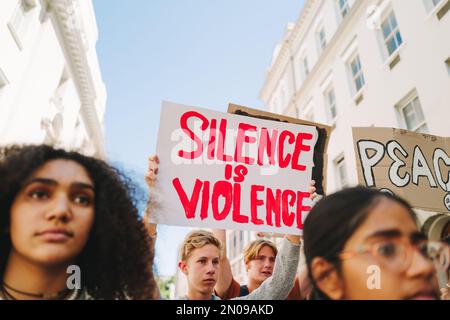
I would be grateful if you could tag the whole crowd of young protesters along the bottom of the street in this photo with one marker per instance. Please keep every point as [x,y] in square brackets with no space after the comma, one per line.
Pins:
[61,208]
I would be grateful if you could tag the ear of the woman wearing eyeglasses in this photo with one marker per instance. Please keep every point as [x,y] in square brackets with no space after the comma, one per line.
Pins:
[327,278]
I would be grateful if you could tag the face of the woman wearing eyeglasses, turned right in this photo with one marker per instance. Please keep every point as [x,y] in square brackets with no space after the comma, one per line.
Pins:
[369,276]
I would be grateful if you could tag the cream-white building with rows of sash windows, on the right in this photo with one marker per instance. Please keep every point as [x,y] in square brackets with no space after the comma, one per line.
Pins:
[360,63]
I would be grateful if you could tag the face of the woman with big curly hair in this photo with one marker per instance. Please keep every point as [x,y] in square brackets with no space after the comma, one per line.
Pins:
[53,213]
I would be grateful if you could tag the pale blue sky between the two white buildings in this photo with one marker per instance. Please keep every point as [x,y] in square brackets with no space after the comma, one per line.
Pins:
[203,53]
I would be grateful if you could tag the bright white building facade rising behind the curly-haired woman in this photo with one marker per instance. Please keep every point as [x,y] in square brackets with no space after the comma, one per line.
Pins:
[51,88]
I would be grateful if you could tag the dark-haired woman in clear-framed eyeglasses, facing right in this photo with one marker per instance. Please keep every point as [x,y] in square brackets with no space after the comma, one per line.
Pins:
[362,244]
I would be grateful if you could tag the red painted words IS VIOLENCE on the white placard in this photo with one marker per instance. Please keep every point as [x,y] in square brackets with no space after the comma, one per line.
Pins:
[282,207]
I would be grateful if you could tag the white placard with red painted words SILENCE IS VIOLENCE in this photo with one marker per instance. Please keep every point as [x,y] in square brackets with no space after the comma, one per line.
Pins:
[220,170]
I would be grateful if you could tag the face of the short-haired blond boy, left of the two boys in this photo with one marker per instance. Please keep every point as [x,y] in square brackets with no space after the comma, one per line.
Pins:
[201,269]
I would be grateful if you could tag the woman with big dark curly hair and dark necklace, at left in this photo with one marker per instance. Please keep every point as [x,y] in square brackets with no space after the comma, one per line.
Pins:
[60,208]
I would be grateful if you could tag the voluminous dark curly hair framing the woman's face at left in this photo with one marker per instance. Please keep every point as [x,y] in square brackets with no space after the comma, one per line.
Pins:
[117,261]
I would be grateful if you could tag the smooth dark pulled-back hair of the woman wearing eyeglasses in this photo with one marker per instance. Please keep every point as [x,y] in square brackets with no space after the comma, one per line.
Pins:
[334,219]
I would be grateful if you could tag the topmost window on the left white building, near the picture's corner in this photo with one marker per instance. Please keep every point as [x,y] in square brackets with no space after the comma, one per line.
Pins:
[20,21]
